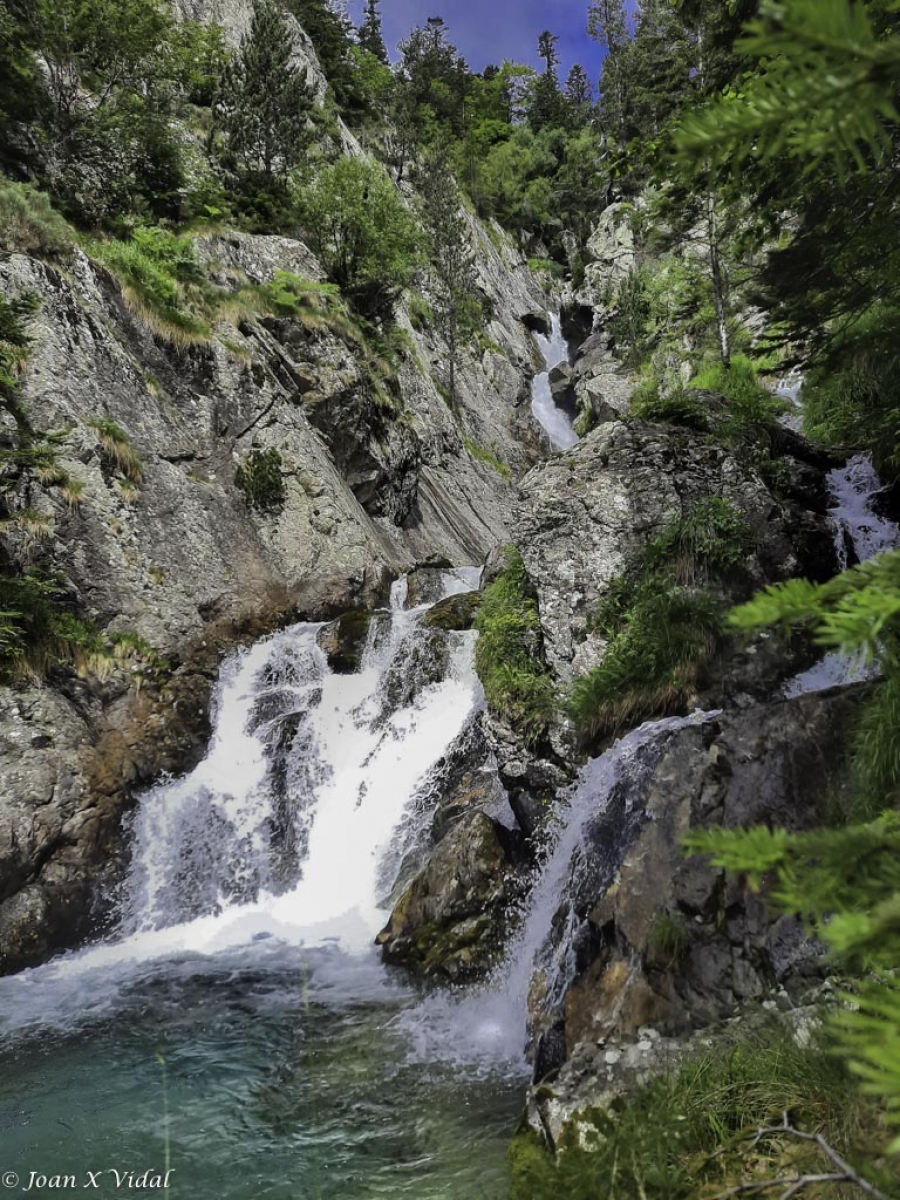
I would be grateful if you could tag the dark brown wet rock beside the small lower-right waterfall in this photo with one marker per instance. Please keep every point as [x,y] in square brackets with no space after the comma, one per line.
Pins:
[667,941]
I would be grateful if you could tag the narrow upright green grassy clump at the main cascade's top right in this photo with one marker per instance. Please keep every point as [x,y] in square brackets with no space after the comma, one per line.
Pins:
[508,655]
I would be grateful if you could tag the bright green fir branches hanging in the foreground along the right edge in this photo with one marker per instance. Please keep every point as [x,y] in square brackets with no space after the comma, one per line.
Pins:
[817,127]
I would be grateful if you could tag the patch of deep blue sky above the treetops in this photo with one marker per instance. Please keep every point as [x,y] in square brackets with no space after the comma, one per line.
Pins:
[494,31]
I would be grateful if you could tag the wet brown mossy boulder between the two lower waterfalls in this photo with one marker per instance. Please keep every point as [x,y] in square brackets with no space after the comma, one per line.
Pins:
[449,920]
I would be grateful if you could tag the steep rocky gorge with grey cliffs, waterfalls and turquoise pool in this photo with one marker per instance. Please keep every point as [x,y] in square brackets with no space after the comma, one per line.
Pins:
[280,829]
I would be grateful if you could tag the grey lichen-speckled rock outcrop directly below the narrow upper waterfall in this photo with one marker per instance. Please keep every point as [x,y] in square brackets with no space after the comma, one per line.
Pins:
[585,513]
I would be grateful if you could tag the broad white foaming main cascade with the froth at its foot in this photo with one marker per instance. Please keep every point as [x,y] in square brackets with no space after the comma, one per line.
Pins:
[285,831]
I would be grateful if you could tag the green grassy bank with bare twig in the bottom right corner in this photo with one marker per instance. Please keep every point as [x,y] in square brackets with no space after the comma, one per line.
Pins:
[693,1132]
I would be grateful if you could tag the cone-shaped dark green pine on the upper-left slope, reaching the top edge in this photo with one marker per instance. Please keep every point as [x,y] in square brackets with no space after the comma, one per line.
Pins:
[265,103]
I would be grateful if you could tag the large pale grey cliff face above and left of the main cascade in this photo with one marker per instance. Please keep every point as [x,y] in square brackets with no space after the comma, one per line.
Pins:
[188,565]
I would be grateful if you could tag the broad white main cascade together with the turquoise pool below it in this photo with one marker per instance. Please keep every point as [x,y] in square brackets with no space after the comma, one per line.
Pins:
[245,955]
